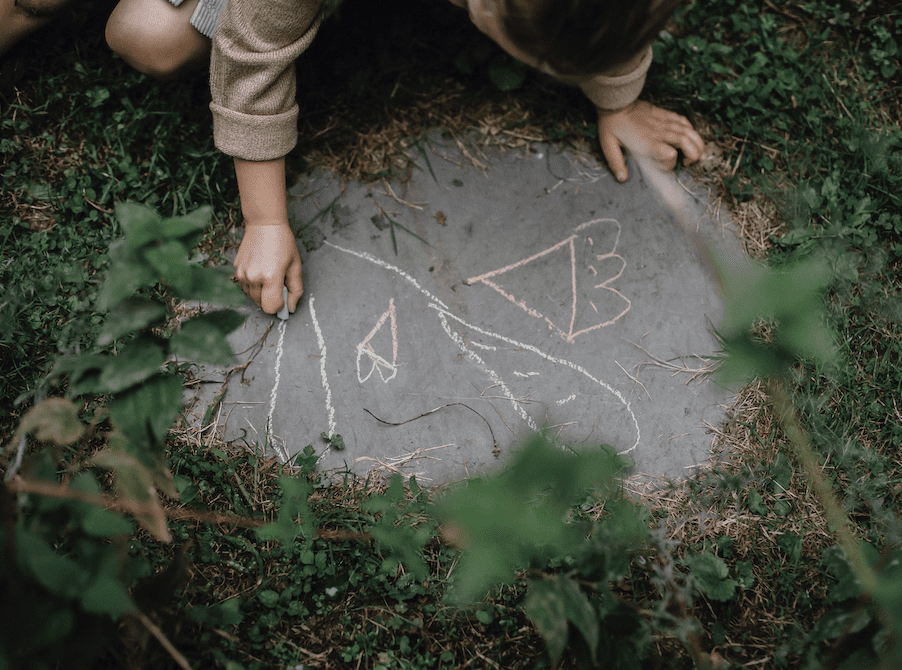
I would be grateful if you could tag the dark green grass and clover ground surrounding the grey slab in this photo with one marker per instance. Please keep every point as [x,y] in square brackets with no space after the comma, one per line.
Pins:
[802,101]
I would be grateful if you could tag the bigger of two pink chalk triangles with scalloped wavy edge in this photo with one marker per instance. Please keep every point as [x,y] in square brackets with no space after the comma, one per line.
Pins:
[569,332]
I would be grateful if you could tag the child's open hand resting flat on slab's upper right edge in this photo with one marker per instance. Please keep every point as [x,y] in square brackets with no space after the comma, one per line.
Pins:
[646,130]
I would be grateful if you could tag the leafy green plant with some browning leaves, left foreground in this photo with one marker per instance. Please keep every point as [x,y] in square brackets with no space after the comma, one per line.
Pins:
[66,566]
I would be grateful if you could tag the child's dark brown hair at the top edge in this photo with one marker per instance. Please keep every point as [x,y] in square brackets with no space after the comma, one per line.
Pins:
[583,37]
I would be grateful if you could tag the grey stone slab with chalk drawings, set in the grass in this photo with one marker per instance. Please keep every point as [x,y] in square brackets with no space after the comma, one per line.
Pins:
[447,319]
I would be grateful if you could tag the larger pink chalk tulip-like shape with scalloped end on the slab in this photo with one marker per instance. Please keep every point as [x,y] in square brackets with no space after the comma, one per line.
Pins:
[569,336]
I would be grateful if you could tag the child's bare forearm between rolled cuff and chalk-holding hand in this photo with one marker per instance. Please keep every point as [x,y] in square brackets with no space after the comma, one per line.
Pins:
[262,188]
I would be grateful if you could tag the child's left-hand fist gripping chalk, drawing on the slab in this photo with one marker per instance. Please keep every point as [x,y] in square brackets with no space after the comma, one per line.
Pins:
[267,259]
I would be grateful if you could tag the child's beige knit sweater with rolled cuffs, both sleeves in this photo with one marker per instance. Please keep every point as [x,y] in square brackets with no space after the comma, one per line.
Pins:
[253,86]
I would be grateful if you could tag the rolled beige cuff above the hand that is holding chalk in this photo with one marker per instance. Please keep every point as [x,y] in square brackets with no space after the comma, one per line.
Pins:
[254,137]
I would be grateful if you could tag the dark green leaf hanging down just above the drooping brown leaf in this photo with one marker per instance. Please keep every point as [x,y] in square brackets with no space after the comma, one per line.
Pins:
[152,406]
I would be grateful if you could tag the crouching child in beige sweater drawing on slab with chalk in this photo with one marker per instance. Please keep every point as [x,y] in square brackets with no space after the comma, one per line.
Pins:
[252,82]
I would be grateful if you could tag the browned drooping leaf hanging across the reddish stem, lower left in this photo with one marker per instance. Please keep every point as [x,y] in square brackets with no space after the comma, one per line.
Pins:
[135,481]
